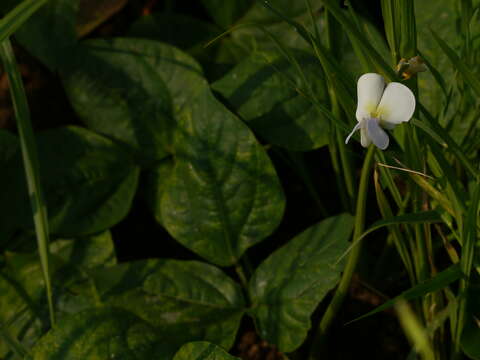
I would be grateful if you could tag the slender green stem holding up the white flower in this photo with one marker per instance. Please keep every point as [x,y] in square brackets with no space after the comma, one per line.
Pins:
[341,292]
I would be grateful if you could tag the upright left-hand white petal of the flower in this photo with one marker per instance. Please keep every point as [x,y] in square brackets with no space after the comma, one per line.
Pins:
[370,88]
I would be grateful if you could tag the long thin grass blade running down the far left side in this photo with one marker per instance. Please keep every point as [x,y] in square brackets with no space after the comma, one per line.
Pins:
[30,161]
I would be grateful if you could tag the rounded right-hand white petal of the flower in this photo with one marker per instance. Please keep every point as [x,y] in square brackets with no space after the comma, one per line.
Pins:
[397,105]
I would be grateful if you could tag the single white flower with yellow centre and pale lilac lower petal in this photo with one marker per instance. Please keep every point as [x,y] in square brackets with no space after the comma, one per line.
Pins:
[380,106]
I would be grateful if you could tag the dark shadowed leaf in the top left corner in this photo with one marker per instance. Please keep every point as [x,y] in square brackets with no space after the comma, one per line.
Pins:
[50,33]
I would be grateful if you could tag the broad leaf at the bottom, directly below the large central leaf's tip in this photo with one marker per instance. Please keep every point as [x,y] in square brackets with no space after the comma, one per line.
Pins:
[185,300]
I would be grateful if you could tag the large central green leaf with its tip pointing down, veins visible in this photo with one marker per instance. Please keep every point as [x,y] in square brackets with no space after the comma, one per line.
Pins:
[224,195]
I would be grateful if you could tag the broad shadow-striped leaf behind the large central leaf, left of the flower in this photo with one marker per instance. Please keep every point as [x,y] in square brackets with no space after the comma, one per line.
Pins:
[268,92]
